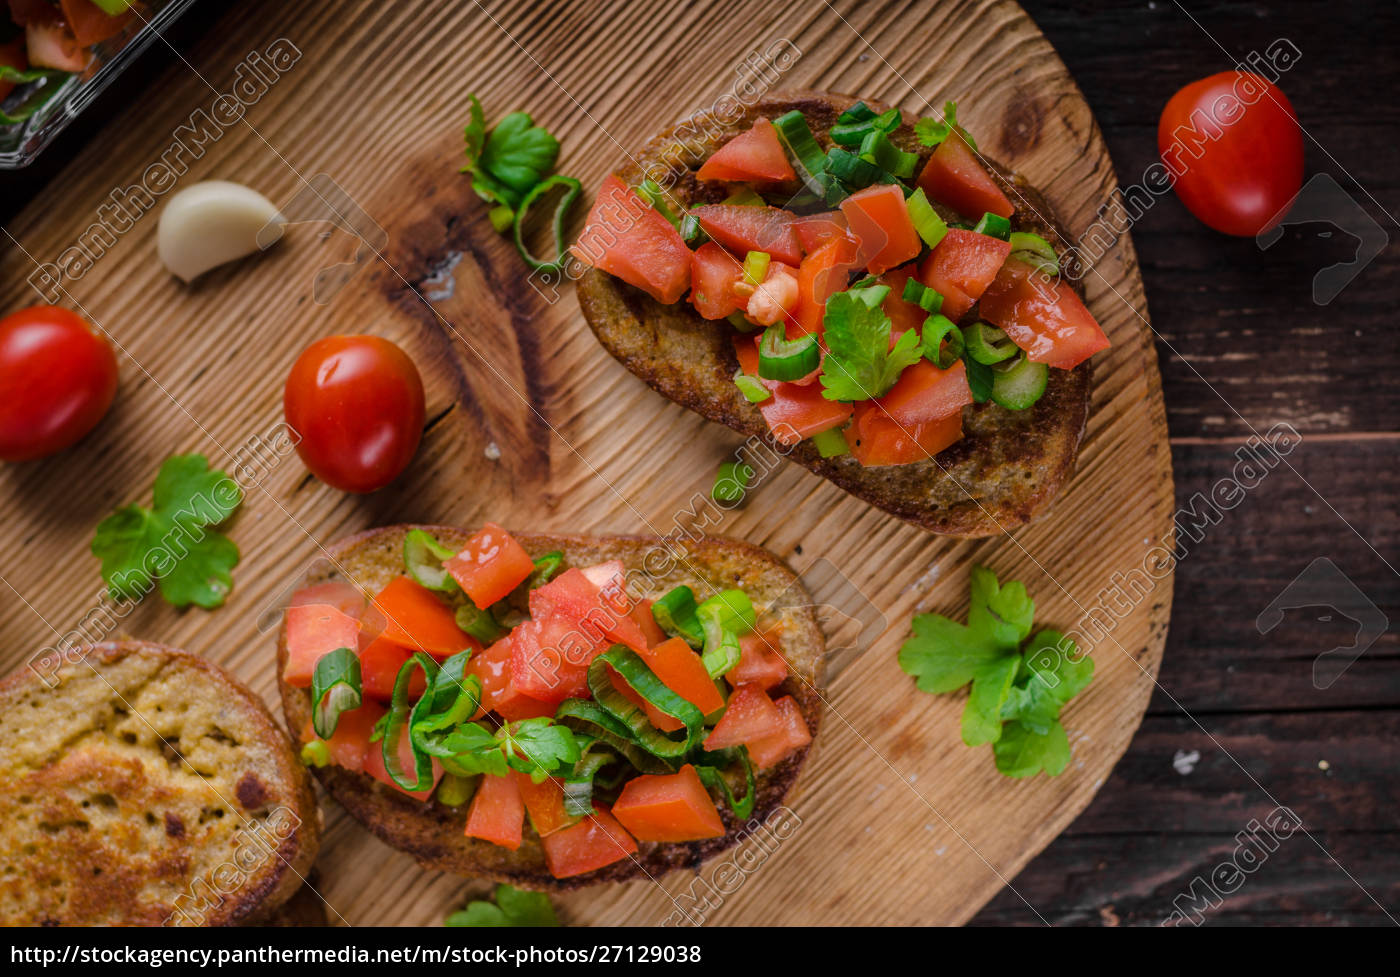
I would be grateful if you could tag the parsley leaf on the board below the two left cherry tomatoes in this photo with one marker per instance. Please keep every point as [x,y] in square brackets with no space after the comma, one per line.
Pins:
[174,544]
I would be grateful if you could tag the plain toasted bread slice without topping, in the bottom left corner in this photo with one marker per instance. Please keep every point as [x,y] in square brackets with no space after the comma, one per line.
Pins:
[146,787]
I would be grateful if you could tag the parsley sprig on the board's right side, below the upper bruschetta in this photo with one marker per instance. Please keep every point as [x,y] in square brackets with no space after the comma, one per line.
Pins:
[1018,685]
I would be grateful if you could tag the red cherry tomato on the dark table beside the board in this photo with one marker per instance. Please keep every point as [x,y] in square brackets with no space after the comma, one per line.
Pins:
[1234,145]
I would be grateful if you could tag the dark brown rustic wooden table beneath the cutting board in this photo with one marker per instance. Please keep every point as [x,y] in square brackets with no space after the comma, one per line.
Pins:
[1238,726]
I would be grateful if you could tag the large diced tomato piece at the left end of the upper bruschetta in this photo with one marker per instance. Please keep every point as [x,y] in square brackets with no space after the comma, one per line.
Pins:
[628,239]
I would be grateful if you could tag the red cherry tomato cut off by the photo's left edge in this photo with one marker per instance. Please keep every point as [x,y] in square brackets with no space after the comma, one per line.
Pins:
[58,379]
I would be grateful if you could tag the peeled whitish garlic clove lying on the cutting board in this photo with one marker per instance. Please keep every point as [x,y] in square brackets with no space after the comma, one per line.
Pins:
[212,223]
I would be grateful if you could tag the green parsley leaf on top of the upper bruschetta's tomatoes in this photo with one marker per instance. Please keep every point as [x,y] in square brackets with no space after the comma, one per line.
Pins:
[860,363]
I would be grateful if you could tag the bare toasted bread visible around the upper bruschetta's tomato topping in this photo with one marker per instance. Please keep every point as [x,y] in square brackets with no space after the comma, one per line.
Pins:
[1009,465]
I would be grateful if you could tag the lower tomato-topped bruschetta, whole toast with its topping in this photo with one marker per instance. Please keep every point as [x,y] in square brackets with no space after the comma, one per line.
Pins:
[552,712]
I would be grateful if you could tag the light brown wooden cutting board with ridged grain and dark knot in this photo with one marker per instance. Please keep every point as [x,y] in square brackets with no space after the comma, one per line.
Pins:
[534,426]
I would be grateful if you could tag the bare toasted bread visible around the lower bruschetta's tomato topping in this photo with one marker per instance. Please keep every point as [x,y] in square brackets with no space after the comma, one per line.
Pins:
[433,834]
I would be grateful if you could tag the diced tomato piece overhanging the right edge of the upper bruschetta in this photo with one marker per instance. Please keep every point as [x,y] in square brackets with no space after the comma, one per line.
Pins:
[1044,317]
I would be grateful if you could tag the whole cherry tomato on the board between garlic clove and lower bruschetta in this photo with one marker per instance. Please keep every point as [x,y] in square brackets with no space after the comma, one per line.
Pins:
[358,405]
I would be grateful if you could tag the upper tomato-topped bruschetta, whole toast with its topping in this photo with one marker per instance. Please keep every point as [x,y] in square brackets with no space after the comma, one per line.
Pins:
[867,293]
